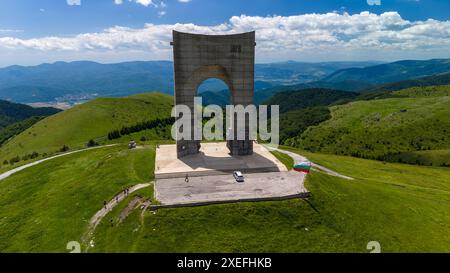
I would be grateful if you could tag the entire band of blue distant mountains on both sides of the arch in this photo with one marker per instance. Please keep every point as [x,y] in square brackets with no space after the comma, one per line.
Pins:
[83,80]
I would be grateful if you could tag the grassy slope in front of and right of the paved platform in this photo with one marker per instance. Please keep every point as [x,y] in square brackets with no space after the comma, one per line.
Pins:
[403,207]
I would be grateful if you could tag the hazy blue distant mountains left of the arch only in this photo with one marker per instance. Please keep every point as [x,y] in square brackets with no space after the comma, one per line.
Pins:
[83,80]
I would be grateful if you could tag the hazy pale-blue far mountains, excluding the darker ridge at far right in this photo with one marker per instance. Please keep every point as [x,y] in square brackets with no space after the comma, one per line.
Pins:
[83,80]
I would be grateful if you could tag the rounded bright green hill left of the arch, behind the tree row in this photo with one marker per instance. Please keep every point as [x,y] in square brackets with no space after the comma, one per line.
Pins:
[91,120]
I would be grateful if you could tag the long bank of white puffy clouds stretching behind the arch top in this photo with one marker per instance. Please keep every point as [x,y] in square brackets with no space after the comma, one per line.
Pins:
[321,36]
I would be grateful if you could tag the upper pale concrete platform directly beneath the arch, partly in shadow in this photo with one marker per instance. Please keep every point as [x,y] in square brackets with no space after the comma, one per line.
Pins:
[213,159]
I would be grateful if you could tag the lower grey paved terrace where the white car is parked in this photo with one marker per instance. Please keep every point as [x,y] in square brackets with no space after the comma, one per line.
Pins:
[204,190]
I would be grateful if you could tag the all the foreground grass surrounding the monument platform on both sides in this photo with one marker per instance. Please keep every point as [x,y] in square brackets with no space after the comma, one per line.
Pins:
[403,207]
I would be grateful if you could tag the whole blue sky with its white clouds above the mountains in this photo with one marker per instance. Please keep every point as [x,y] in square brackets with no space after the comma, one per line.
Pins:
[107,31]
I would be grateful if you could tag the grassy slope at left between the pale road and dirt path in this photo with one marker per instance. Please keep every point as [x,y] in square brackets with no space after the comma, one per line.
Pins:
[42,210]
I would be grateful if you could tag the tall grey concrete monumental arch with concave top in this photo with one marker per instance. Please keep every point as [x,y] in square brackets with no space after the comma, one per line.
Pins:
[230,58]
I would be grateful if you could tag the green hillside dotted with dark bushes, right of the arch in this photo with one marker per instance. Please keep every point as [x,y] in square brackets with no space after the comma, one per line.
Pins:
[418,119]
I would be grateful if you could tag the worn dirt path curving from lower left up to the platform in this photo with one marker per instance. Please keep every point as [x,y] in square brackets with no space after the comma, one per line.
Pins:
[99,215]
